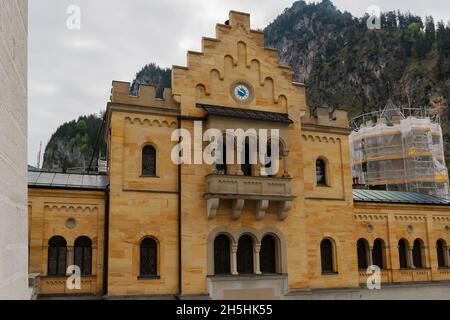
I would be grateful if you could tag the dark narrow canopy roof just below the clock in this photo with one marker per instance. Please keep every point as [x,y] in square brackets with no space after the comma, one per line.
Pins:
[245,113]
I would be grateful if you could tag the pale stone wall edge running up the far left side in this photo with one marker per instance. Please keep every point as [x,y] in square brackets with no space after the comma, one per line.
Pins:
[13,153]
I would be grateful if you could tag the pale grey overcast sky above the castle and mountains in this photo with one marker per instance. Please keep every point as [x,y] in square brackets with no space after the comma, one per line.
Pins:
[70,71]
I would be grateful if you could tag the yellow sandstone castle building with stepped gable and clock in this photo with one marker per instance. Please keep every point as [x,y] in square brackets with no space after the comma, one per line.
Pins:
[152,227]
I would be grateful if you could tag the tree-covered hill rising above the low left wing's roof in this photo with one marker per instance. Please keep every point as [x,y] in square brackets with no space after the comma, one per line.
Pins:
[73,143]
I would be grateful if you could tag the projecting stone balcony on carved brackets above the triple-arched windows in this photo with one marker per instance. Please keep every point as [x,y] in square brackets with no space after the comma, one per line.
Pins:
[240,189]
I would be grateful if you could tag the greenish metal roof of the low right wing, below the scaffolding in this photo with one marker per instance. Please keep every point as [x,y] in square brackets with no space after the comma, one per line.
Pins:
[381,196]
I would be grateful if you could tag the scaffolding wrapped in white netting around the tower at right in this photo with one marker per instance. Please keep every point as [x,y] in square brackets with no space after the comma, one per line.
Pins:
[392,151]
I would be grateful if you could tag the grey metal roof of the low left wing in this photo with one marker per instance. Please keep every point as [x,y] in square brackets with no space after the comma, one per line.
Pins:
[67,181]
